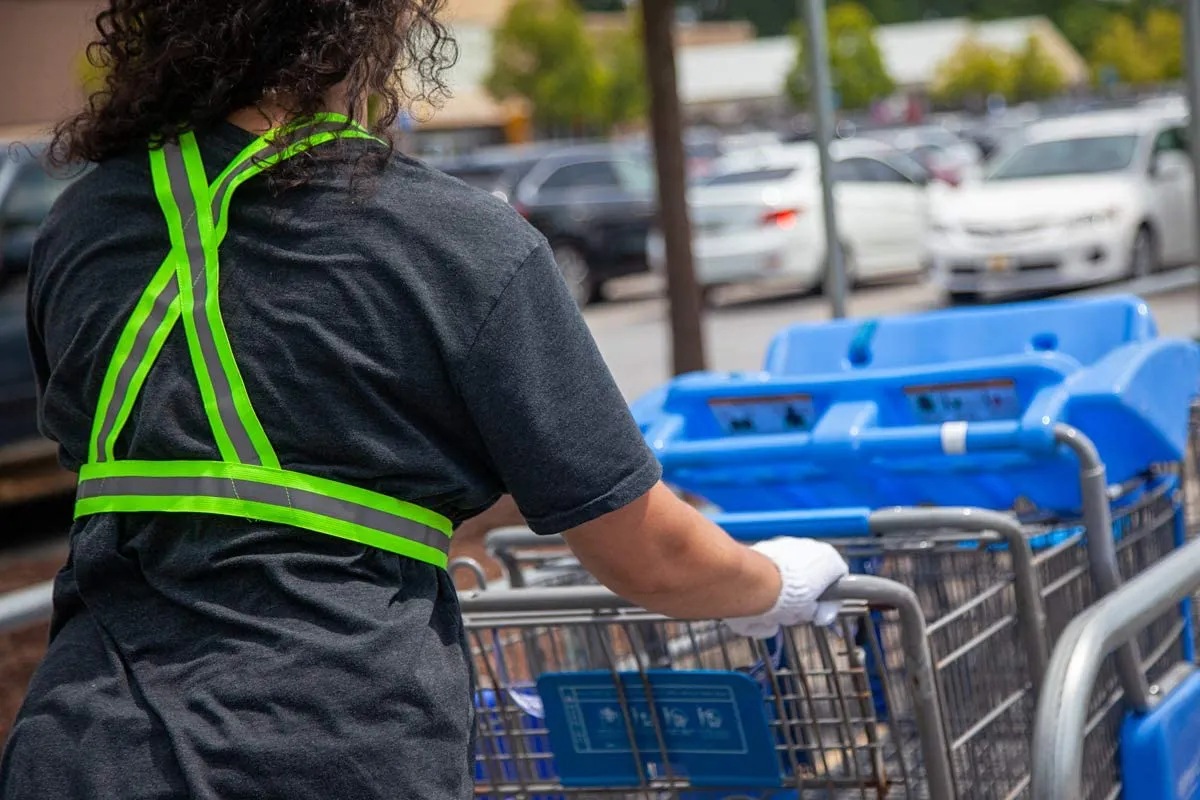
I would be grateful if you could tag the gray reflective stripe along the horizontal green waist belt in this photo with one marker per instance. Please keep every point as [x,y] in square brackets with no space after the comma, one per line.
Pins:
[269,495]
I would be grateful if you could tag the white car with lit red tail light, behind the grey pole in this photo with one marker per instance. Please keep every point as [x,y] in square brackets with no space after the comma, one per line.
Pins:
[760,216]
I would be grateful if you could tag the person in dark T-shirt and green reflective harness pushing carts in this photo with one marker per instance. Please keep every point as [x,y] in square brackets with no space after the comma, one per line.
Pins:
[287,362]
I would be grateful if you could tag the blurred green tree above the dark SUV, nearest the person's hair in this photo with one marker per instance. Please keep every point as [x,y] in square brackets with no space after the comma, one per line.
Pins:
[542,53]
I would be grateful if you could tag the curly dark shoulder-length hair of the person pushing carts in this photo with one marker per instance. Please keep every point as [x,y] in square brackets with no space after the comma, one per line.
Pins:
[173,67]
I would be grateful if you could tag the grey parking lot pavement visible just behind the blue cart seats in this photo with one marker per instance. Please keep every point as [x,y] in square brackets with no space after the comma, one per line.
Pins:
[633,333]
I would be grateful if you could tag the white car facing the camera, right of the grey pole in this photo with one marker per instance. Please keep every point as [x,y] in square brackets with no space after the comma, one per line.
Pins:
[1077,202]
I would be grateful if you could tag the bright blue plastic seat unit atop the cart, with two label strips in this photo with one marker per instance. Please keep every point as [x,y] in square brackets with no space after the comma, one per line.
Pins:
[947,408]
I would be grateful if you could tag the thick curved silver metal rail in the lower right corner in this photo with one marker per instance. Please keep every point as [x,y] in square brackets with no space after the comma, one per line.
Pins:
[1114,622]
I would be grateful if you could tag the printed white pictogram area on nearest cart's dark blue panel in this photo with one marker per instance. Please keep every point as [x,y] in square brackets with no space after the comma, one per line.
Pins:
[693,720]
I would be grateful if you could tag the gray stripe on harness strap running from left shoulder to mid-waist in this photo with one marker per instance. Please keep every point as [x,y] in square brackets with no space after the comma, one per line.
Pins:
[182,190]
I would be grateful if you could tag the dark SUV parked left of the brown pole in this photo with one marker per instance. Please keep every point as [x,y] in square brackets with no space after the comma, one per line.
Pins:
[595,204]
